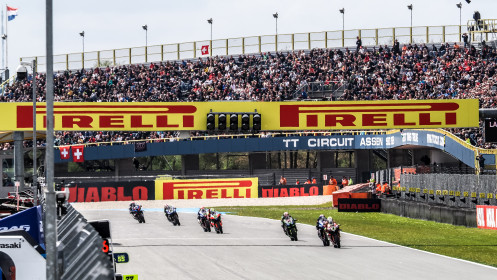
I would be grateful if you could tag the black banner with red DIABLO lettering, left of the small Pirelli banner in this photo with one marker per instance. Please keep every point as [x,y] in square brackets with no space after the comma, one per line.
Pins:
[112,191]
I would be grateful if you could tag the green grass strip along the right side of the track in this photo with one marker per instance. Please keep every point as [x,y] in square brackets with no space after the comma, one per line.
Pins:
[472,244]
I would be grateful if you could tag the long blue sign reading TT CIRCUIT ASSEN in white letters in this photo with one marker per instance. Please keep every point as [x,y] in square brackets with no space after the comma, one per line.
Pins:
[412,137]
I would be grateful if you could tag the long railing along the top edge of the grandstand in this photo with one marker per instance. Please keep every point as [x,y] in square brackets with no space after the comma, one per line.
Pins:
[253,44]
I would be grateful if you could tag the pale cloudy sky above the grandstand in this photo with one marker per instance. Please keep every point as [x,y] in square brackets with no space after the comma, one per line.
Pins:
[110,24]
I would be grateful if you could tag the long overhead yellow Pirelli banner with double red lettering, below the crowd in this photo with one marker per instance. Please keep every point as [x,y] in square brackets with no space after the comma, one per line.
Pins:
[330,115]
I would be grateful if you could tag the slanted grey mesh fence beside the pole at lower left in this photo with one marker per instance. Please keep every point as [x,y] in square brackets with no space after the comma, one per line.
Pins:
[80,249]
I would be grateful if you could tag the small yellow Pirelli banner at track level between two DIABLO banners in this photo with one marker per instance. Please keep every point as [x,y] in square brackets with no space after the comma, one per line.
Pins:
[206,188]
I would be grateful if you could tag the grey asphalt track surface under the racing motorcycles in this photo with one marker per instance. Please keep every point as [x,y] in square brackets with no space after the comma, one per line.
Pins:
[257,248]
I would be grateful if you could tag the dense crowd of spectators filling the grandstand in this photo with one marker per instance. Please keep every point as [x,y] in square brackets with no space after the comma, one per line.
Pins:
[410,72]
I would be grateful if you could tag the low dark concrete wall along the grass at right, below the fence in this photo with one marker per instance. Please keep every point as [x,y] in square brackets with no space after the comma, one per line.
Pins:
[438,213]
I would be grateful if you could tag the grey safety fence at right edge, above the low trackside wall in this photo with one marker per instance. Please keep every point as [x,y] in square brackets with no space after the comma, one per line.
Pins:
[456,190]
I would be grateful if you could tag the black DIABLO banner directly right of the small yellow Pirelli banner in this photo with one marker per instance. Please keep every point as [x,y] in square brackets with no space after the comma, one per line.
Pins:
[292,190]
